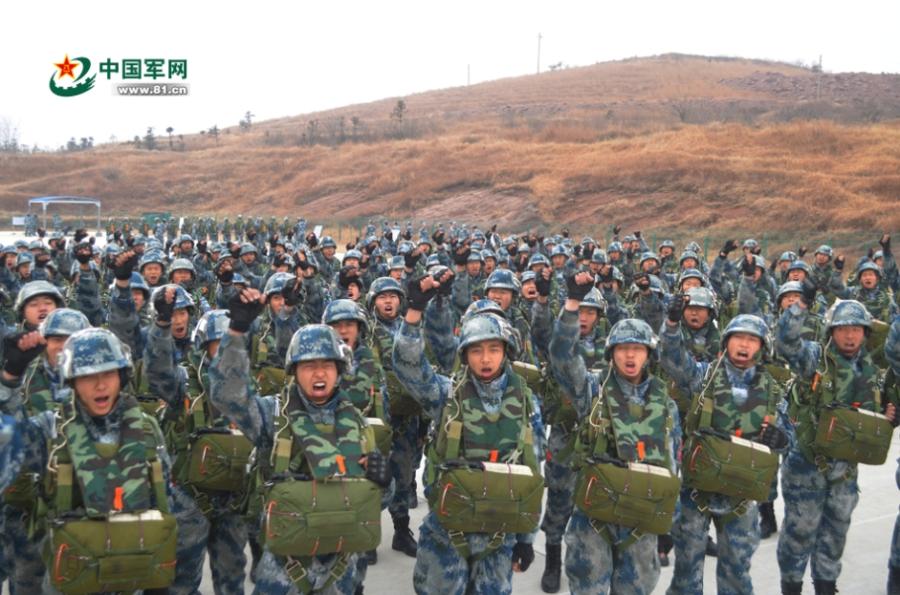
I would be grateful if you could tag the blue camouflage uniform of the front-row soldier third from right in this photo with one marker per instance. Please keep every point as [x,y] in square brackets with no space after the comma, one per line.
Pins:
[593,565]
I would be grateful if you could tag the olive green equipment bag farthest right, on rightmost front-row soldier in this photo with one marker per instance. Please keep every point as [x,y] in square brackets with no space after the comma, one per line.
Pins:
[854,435]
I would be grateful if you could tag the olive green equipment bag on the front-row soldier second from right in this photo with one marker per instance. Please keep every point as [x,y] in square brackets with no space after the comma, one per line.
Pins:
[720,463]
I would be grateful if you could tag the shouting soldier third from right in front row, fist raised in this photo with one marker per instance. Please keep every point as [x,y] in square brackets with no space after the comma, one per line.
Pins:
[630,420]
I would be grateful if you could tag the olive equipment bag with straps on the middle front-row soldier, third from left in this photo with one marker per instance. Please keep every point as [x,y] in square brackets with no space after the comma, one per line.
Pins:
[484,497]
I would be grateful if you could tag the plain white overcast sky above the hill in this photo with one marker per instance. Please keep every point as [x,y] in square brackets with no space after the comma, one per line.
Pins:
[287,58]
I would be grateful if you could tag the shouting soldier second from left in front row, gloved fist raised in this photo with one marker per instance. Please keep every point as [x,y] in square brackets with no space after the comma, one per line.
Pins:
[307,435]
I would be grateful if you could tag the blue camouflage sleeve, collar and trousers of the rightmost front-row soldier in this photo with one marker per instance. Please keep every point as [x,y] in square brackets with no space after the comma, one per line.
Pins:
[818,504]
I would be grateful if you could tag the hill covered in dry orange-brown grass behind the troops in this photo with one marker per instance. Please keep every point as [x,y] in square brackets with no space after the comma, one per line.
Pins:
[669,142]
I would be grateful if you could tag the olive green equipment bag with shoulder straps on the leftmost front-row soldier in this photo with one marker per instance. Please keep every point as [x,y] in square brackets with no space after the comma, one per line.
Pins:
[117,552]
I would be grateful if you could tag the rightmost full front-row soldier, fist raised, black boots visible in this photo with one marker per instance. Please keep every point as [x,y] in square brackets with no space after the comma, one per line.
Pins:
[819,483]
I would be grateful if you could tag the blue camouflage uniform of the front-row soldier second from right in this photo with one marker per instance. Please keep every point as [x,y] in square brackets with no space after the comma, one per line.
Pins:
[737,536]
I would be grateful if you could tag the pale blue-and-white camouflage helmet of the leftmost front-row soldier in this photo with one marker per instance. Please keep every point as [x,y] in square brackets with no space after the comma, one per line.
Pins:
[92,351]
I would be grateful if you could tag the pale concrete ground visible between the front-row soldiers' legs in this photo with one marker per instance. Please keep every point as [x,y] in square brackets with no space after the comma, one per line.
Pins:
[865,557]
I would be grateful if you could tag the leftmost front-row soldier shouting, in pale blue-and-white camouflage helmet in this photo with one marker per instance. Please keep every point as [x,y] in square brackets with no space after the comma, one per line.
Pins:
[83,492]
